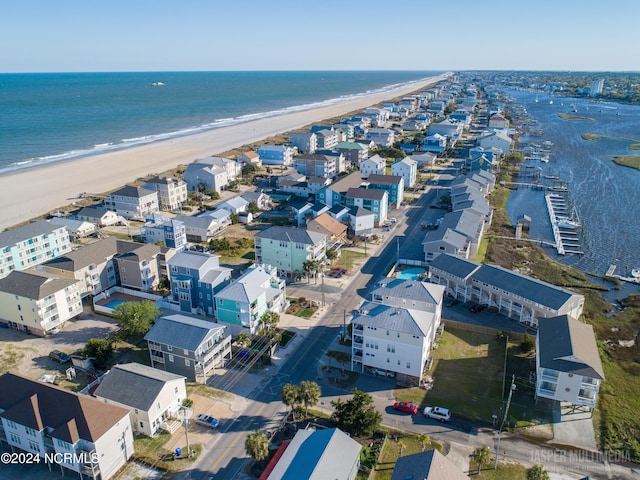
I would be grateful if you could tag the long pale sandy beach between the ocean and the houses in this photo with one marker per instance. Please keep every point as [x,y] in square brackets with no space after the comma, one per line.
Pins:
[37,191]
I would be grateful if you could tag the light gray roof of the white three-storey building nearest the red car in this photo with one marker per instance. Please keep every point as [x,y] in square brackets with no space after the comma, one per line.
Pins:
[412,322]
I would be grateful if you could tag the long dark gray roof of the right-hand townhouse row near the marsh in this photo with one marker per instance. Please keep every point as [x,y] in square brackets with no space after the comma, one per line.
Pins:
[527,287]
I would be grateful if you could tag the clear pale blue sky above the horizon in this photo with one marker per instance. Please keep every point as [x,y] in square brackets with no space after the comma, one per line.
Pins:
[206,35]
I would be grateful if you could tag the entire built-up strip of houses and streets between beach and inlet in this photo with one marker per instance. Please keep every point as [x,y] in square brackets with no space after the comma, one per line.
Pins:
[345,301]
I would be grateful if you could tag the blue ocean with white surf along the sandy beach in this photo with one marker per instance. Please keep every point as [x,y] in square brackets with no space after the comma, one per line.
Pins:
[50,117]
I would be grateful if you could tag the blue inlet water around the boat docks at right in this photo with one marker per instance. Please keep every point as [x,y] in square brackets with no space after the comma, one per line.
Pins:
[606,195]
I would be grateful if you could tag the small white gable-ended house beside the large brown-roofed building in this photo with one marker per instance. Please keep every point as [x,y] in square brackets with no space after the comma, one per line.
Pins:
[153,397]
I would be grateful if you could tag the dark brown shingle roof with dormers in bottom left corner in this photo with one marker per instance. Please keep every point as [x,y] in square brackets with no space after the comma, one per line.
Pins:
[72,416]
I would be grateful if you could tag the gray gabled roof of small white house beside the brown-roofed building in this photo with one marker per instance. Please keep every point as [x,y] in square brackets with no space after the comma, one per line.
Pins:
[134,385]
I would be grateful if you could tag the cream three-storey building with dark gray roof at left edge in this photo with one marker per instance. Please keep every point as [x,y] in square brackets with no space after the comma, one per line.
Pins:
[38,302]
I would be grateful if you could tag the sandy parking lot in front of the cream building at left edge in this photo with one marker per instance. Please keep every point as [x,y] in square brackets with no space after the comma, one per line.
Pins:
[29,354]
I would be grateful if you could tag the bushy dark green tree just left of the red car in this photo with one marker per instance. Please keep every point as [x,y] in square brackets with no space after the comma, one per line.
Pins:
[358,415]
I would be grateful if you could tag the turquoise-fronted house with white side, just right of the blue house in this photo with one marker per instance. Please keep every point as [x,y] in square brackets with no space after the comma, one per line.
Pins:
[241,304]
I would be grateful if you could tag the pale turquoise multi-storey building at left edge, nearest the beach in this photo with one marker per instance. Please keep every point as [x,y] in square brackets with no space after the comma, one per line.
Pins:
[32,244]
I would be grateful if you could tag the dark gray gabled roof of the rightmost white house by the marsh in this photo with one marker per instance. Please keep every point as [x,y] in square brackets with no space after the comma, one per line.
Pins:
[569,346]
